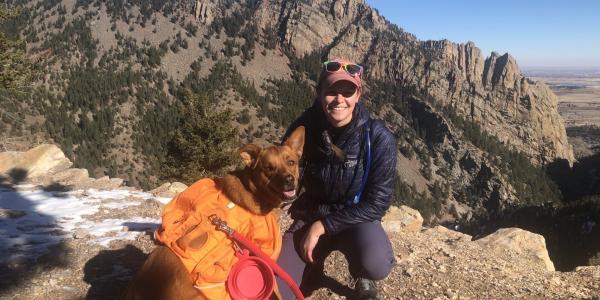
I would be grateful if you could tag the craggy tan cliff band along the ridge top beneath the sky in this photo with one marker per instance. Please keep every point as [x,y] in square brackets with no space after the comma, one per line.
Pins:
[491,91]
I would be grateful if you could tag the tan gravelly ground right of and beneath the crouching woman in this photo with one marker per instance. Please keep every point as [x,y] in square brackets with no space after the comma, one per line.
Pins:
[440,264]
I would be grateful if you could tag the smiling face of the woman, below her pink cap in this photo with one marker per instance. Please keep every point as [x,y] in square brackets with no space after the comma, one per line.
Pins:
[338,102]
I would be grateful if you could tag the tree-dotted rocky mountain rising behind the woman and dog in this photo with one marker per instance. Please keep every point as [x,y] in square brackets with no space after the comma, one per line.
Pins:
[450,109]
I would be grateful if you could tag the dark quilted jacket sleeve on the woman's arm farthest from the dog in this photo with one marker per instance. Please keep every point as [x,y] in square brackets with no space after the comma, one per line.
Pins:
[377,195]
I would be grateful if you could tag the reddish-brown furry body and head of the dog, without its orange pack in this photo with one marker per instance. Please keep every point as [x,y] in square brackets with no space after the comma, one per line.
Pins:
[269,177]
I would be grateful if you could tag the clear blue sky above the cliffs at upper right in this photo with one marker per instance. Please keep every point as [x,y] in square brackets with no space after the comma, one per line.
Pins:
[536,32]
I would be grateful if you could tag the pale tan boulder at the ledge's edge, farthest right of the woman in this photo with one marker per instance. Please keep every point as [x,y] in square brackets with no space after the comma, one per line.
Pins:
[525,243]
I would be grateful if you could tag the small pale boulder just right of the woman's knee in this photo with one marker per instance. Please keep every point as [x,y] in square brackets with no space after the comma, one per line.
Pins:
[402,219]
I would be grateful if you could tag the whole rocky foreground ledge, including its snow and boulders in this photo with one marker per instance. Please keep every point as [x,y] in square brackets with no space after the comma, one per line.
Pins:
[432,263]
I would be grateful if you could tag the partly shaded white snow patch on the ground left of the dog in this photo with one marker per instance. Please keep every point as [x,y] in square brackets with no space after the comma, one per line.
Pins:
[48,218]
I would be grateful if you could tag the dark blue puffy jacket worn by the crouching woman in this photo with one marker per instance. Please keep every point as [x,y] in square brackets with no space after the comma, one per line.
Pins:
[330,183]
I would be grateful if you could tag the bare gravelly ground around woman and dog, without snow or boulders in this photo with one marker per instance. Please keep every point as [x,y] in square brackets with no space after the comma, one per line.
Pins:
[433,263]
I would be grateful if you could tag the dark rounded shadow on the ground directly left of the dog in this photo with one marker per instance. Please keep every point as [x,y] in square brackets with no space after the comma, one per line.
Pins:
[110,271]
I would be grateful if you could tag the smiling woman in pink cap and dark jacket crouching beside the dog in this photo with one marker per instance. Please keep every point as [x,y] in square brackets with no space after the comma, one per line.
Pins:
[349,164]
